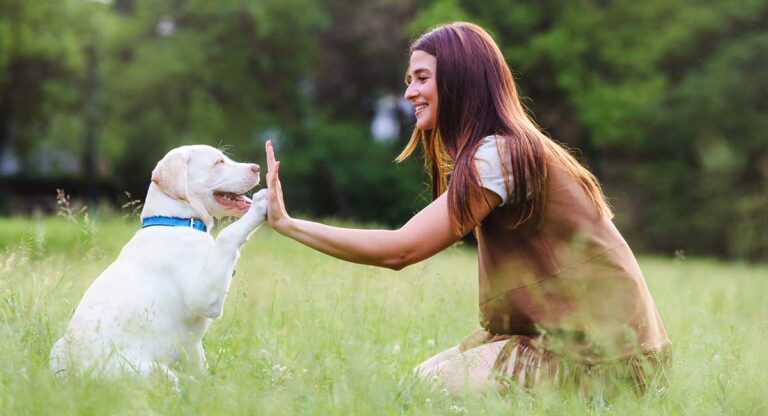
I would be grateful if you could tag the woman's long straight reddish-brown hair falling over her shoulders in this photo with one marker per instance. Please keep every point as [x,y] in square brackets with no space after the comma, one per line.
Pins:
[477,98]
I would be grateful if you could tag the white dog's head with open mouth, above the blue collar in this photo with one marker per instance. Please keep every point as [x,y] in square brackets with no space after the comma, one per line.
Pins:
[207,180]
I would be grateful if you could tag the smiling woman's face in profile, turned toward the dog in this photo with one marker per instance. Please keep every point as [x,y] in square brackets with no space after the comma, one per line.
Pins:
[422,89]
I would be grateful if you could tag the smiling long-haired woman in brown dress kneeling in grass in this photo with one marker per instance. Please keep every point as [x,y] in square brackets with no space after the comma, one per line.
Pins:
[562,298]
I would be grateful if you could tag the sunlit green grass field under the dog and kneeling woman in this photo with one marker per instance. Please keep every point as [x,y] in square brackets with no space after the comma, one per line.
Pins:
[303,333]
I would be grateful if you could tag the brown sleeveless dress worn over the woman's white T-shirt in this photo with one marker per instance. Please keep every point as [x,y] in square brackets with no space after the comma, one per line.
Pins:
[570,296]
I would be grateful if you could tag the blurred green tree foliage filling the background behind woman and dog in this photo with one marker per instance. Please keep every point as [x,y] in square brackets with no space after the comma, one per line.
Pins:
[665,101]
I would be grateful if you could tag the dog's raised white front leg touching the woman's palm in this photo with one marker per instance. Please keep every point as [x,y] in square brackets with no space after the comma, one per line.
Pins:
[210,289]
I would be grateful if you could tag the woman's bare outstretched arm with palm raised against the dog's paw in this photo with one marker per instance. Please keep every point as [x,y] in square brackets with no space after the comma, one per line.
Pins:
[427,233]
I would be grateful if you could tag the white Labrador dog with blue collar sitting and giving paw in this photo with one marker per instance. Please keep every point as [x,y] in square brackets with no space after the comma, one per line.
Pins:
[150,308]
